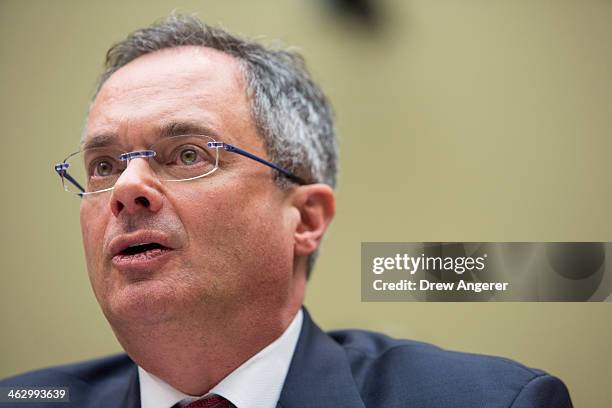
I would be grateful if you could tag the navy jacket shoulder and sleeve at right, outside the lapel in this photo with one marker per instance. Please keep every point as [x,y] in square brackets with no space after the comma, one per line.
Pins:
[395,372]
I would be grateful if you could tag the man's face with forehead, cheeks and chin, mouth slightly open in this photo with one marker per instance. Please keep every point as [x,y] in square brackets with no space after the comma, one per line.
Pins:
[229,234]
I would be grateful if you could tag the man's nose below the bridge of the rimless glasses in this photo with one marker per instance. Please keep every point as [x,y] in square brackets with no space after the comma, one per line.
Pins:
[137,189]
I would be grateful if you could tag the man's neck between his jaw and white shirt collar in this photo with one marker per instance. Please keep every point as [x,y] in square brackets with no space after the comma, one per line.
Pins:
[195,354]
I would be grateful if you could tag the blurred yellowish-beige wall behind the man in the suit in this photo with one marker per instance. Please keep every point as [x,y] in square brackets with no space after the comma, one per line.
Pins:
[459,121]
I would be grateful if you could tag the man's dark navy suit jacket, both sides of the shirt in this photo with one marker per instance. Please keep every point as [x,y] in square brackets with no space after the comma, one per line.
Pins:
[347,368]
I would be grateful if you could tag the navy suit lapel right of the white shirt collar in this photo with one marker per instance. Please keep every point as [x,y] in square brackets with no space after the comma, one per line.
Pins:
[319,374]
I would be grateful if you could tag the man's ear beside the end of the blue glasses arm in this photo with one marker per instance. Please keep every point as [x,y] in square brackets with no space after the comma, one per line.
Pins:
[316,205]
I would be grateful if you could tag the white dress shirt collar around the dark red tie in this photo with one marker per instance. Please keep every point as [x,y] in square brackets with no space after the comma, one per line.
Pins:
[257,383]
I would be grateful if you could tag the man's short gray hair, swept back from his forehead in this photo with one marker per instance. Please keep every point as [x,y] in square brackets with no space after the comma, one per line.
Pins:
[290,111]
